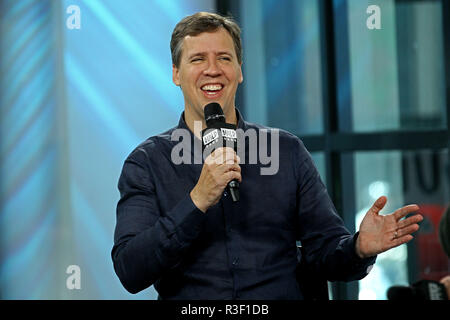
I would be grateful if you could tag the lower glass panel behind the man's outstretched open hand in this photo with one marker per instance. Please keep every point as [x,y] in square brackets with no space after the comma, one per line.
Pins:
[405,178]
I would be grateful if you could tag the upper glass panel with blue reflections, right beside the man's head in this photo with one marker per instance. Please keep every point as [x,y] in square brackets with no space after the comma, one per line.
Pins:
[282,71]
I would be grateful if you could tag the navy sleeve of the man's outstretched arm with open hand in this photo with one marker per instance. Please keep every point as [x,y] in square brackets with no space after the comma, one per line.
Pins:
[328,245]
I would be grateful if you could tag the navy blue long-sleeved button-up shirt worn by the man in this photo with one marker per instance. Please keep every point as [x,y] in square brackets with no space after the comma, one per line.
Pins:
[236,250]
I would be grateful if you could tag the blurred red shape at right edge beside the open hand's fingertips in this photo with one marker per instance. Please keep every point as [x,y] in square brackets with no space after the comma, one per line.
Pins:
[433,263]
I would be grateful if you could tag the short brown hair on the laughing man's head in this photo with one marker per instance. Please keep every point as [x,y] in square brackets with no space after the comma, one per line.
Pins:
[203,22]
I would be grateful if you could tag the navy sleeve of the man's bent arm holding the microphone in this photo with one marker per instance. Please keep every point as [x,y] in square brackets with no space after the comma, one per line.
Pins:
[148,242]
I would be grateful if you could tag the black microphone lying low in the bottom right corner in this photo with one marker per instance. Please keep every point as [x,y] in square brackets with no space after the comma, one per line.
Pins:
[419,291]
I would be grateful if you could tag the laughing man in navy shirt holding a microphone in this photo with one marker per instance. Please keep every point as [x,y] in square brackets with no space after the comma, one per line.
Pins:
[178,229]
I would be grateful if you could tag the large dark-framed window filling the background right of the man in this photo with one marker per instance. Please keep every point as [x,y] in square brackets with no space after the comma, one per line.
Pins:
[370,106]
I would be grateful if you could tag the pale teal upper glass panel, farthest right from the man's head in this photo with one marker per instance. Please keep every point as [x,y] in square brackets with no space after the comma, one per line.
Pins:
[397,72]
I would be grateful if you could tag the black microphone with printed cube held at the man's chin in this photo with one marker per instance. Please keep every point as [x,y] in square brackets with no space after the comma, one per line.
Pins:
[219,134]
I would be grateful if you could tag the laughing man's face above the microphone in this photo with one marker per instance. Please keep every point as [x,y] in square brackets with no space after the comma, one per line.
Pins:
[209,71]
